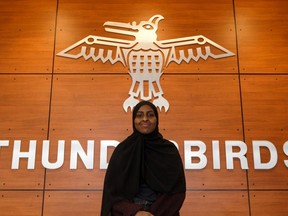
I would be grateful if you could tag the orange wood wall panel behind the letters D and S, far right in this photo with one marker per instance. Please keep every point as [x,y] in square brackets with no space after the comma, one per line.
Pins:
[265,118]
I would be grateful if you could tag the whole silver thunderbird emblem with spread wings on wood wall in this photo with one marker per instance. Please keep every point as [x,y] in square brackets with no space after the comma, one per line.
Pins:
[145,57]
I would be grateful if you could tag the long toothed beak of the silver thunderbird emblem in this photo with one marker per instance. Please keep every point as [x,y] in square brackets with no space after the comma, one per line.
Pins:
[121,28]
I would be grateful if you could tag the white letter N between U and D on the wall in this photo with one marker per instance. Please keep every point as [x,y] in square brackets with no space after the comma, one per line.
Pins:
[87,159]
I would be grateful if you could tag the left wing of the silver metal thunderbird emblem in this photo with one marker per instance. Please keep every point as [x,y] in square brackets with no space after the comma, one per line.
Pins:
[98,48]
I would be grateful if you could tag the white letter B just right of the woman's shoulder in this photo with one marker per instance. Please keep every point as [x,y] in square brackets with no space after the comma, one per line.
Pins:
[189,154]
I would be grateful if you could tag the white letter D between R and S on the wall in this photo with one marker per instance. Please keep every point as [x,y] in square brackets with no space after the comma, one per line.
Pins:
[257,157]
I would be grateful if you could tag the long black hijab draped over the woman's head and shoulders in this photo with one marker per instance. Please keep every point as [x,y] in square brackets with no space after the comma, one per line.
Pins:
[146,157]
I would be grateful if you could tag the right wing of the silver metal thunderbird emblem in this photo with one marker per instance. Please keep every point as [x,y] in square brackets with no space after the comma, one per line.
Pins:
[193,48]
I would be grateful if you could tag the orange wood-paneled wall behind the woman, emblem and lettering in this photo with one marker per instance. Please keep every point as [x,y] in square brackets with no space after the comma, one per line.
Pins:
[44,96]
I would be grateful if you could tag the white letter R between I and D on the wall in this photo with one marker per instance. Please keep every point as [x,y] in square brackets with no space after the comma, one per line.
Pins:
[241,154]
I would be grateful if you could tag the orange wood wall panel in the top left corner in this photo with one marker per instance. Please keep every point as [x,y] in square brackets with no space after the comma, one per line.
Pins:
[27,36]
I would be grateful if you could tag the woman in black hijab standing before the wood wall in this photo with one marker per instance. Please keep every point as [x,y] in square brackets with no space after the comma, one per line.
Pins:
[145,176]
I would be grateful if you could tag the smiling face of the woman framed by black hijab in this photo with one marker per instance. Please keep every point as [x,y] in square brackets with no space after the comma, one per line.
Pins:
[145,121]
